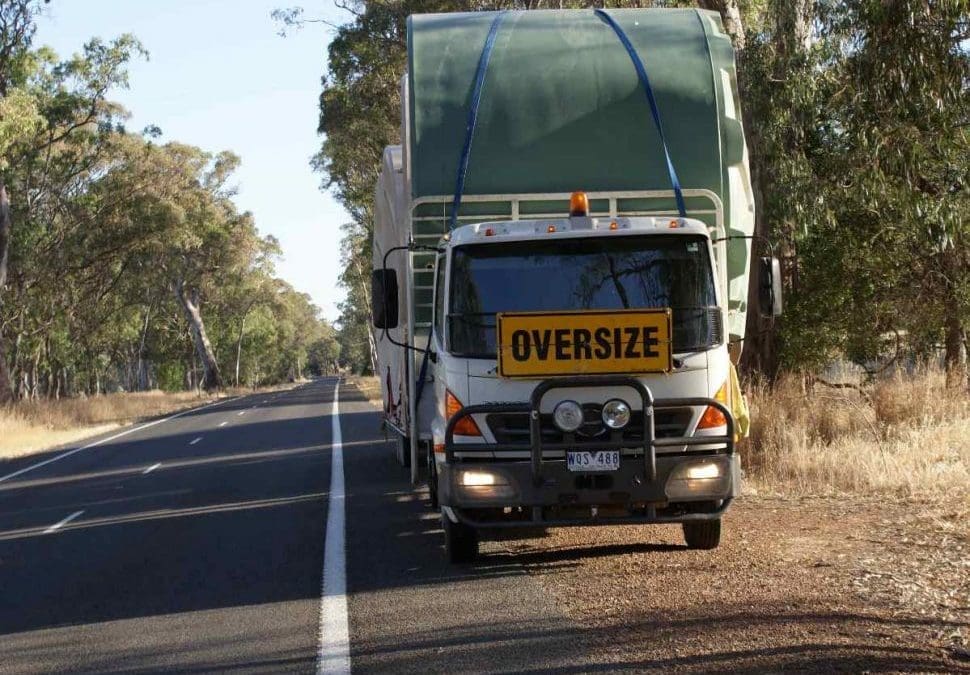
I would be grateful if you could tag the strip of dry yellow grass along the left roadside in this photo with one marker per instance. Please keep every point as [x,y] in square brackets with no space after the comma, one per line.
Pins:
[34,426]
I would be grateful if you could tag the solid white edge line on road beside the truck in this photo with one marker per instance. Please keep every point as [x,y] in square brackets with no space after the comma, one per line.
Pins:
[334,653]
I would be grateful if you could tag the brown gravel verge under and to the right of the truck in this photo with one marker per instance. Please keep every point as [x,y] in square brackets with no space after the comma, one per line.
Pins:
[809,585]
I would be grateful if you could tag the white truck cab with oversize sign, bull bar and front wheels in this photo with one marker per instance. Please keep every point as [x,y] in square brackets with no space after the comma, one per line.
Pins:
[580,377]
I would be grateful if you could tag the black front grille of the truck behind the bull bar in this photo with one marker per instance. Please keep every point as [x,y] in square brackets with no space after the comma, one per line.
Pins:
[513,428]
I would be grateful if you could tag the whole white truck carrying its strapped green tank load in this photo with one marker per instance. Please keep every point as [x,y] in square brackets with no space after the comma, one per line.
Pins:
[563,242]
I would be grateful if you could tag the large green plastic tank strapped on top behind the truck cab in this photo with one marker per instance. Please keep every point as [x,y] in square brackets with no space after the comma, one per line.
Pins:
[562,109]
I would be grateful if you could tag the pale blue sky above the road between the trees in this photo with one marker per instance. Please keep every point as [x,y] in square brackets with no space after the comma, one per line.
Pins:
[219,77]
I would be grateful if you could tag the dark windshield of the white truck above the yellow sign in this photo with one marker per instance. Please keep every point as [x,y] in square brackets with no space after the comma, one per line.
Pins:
[628,272]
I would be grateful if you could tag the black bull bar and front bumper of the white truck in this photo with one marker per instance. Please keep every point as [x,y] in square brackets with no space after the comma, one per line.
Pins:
[646,488]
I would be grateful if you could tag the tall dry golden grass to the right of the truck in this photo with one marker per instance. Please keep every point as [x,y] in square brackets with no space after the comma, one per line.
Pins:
[907,436]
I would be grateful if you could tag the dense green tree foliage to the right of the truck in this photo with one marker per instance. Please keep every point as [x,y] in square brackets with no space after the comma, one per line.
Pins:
[867,142]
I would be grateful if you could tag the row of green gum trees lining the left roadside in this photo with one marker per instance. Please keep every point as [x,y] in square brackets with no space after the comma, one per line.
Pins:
[107,224]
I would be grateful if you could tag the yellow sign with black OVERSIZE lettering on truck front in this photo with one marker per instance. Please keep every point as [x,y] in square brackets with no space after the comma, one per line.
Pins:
[533,344]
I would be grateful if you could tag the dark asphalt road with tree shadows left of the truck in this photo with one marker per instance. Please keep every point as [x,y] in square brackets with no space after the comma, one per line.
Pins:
[197,544]
